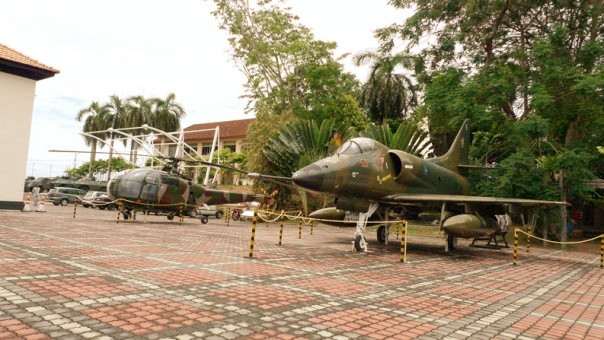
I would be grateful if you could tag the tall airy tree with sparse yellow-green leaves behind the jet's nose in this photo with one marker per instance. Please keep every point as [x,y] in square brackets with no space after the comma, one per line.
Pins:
[290,74]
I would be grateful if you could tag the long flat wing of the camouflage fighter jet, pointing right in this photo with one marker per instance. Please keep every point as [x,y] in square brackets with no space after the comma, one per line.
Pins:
[431,198]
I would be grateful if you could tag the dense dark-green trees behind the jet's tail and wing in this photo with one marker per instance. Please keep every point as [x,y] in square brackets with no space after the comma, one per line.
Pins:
[530,77]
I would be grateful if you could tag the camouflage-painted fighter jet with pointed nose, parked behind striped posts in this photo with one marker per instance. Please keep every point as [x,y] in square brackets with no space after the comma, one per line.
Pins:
[377,183]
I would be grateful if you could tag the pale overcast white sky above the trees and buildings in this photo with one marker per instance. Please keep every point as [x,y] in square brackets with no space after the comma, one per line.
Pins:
[151,48]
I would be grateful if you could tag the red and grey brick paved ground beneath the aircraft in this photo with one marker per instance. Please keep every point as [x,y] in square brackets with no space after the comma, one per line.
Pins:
[92,278]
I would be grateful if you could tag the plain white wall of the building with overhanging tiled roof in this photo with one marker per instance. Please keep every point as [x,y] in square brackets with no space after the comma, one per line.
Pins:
[16,105]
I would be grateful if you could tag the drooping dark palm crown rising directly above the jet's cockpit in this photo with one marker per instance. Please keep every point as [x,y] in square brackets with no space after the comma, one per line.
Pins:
[387,94]
